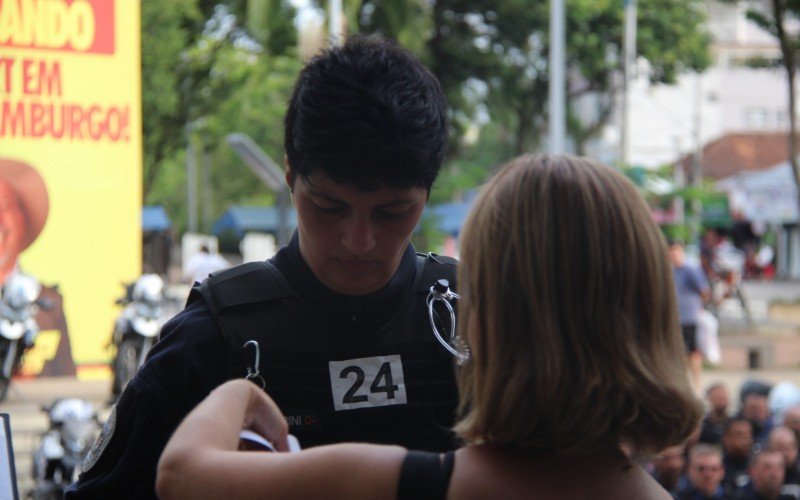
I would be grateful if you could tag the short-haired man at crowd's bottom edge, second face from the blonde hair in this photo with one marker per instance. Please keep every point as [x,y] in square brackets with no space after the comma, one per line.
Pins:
[705,473]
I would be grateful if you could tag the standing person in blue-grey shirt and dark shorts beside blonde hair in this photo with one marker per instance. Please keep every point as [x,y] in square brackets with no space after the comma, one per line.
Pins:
[692,289]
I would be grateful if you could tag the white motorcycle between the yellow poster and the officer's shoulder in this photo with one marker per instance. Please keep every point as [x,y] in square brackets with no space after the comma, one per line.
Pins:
[136,328]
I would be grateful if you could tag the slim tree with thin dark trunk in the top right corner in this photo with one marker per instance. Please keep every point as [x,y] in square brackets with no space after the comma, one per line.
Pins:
[774,20]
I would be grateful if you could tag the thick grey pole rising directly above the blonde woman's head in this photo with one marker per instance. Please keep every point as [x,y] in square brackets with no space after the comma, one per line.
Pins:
[557,103]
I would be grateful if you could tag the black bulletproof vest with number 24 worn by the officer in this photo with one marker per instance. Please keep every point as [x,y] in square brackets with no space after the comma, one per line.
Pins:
[395,385]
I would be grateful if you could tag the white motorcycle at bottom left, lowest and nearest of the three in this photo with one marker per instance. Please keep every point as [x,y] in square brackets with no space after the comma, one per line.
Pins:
[73,426]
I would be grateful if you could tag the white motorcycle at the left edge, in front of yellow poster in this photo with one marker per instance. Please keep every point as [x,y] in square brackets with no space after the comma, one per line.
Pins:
[19,303]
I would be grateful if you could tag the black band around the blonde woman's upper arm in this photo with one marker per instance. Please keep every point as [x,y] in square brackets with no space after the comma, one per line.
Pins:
[425,476]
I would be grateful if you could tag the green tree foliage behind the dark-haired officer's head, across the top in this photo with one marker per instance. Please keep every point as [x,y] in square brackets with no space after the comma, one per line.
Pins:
[212,67]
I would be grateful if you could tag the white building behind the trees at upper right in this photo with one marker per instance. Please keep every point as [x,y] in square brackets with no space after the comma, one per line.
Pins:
[669,121]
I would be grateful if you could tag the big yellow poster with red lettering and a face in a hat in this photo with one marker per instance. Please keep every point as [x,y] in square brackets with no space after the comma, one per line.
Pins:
[70,167]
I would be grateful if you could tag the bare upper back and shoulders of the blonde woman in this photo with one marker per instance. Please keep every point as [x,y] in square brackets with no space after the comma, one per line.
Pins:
[491,473]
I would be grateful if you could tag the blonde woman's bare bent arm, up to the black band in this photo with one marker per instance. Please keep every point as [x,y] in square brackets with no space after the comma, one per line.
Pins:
[201,461]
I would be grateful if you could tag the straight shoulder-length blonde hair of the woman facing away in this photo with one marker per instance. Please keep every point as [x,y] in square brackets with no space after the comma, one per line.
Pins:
[571,315]
